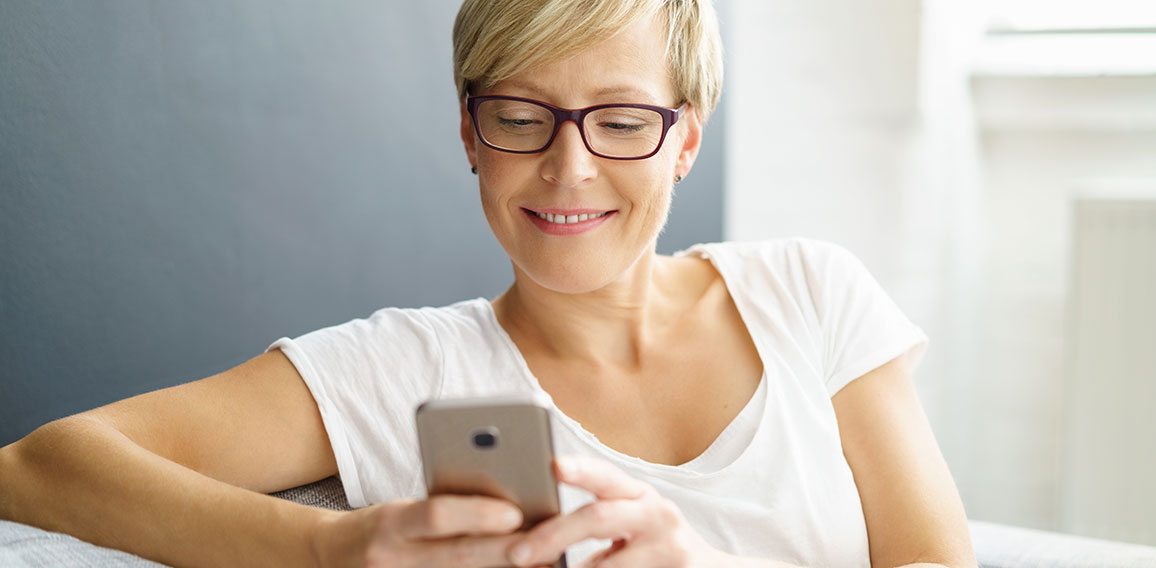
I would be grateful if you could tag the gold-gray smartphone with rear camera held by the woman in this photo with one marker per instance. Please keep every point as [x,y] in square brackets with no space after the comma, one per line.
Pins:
[500,447]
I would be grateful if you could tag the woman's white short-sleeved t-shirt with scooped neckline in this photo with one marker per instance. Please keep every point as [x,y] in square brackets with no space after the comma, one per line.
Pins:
[775,484]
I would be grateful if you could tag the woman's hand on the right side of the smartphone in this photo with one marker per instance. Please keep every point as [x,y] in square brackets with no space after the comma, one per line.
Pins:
[648,529]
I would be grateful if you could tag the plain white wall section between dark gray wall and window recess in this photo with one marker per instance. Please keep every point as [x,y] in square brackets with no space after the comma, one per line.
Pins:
[825,142]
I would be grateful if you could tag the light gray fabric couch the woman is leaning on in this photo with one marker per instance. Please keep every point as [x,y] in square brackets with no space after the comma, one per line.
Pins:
[997,547]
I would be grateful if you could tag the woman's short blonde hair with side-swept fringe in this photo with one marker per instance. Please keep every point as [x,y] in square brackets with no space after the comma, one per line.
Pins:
[495,40]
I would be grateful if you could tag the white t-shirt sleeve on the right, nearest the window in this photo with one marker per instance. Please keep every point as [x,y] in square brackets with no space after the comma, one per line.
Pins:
[862,327]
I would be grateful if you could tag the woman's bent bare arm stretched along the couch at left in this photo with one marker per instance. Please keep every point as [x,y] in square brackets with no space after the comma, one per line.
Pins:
[164,475]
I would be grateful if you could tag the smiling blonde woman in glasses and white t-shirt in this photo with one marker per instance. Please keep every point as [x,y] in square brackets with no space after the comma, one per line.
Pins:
[733,405]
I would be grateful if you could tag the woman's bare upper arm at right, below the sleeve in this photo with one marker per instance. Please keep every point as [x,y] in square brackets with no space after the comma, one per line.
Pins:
[913,508]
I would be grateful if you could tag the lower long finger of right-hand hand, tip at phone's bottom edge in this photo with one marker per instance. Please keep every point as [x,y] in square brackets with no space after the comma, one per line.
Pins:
[611,520]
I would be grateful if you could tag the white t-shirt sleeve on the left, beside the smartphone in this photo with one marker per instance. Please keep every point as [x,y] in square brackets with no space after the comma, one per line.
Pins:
[367,378]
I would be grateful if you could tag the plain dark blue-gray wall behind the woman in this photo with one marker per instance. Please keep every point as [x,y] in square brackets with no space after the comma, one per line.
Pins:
[182,183]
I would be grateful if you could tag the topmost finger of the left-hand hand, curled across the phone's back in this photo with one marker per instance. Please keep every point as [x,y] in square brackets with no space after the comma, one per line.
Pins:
[443,517]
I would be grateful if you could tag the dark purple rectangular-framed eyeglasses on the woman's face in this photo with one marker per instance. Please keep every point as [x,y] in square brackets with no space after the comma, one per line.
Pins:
[614,131]
